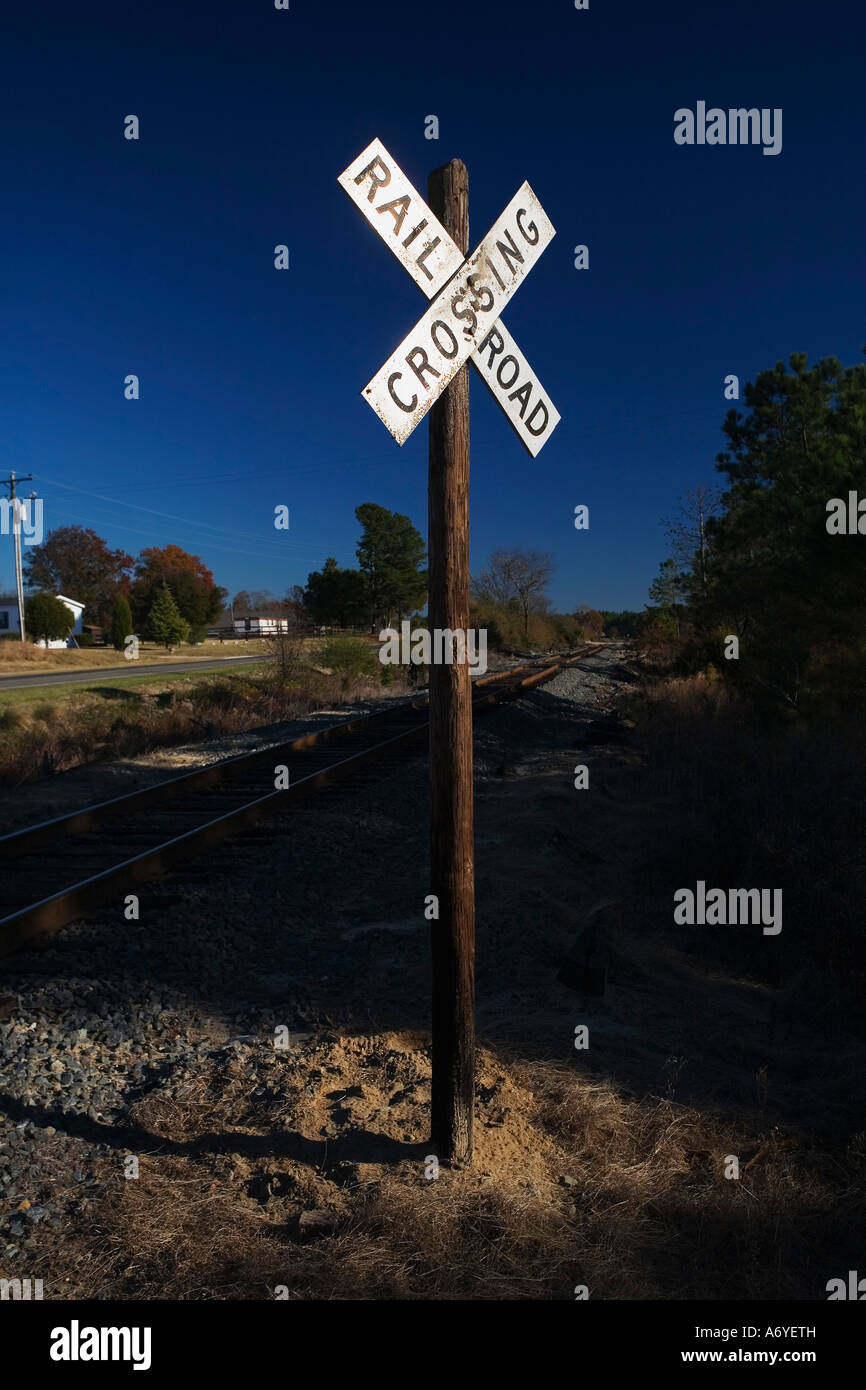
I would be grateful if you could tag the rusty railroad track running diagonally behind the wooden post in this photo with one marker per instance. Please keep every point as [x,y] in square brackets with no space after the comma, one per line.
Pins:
[59,869]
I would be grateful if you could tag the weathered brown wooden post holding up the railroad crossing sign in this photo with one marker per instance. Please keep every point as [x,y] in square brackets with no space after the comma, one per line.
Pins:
[451,737]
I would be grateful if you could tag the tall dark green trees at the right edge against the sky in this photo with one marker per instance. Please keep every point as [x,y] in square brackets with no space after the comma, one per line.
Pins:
[761,559]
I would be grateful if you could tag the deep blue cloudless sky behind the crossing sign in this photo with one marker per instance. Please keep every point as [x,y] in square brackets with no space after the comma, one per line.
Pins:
[158,258]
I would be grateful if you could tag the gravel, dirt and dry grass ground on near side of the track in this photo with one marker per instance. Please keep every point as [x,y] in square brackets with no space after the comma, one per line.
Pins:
[280,1111]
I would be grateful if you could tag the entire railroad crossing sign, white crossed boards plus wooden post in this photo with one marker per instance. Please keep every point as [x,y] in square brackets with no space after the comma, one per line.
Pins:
[429,373]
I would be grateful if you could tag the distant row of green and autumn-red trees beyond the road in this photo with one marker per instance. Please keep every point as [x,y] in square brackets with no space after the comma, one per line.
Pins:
[170,597]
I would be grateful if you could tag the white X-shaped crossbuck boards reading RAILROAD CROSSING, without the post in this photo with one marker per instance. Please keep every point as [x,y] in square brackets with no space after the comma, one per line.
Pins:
[468,295]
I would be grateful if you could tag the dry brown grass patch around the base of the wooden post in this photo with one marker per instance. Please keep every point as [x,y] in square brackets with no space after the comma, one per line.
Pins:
[646,1213]
